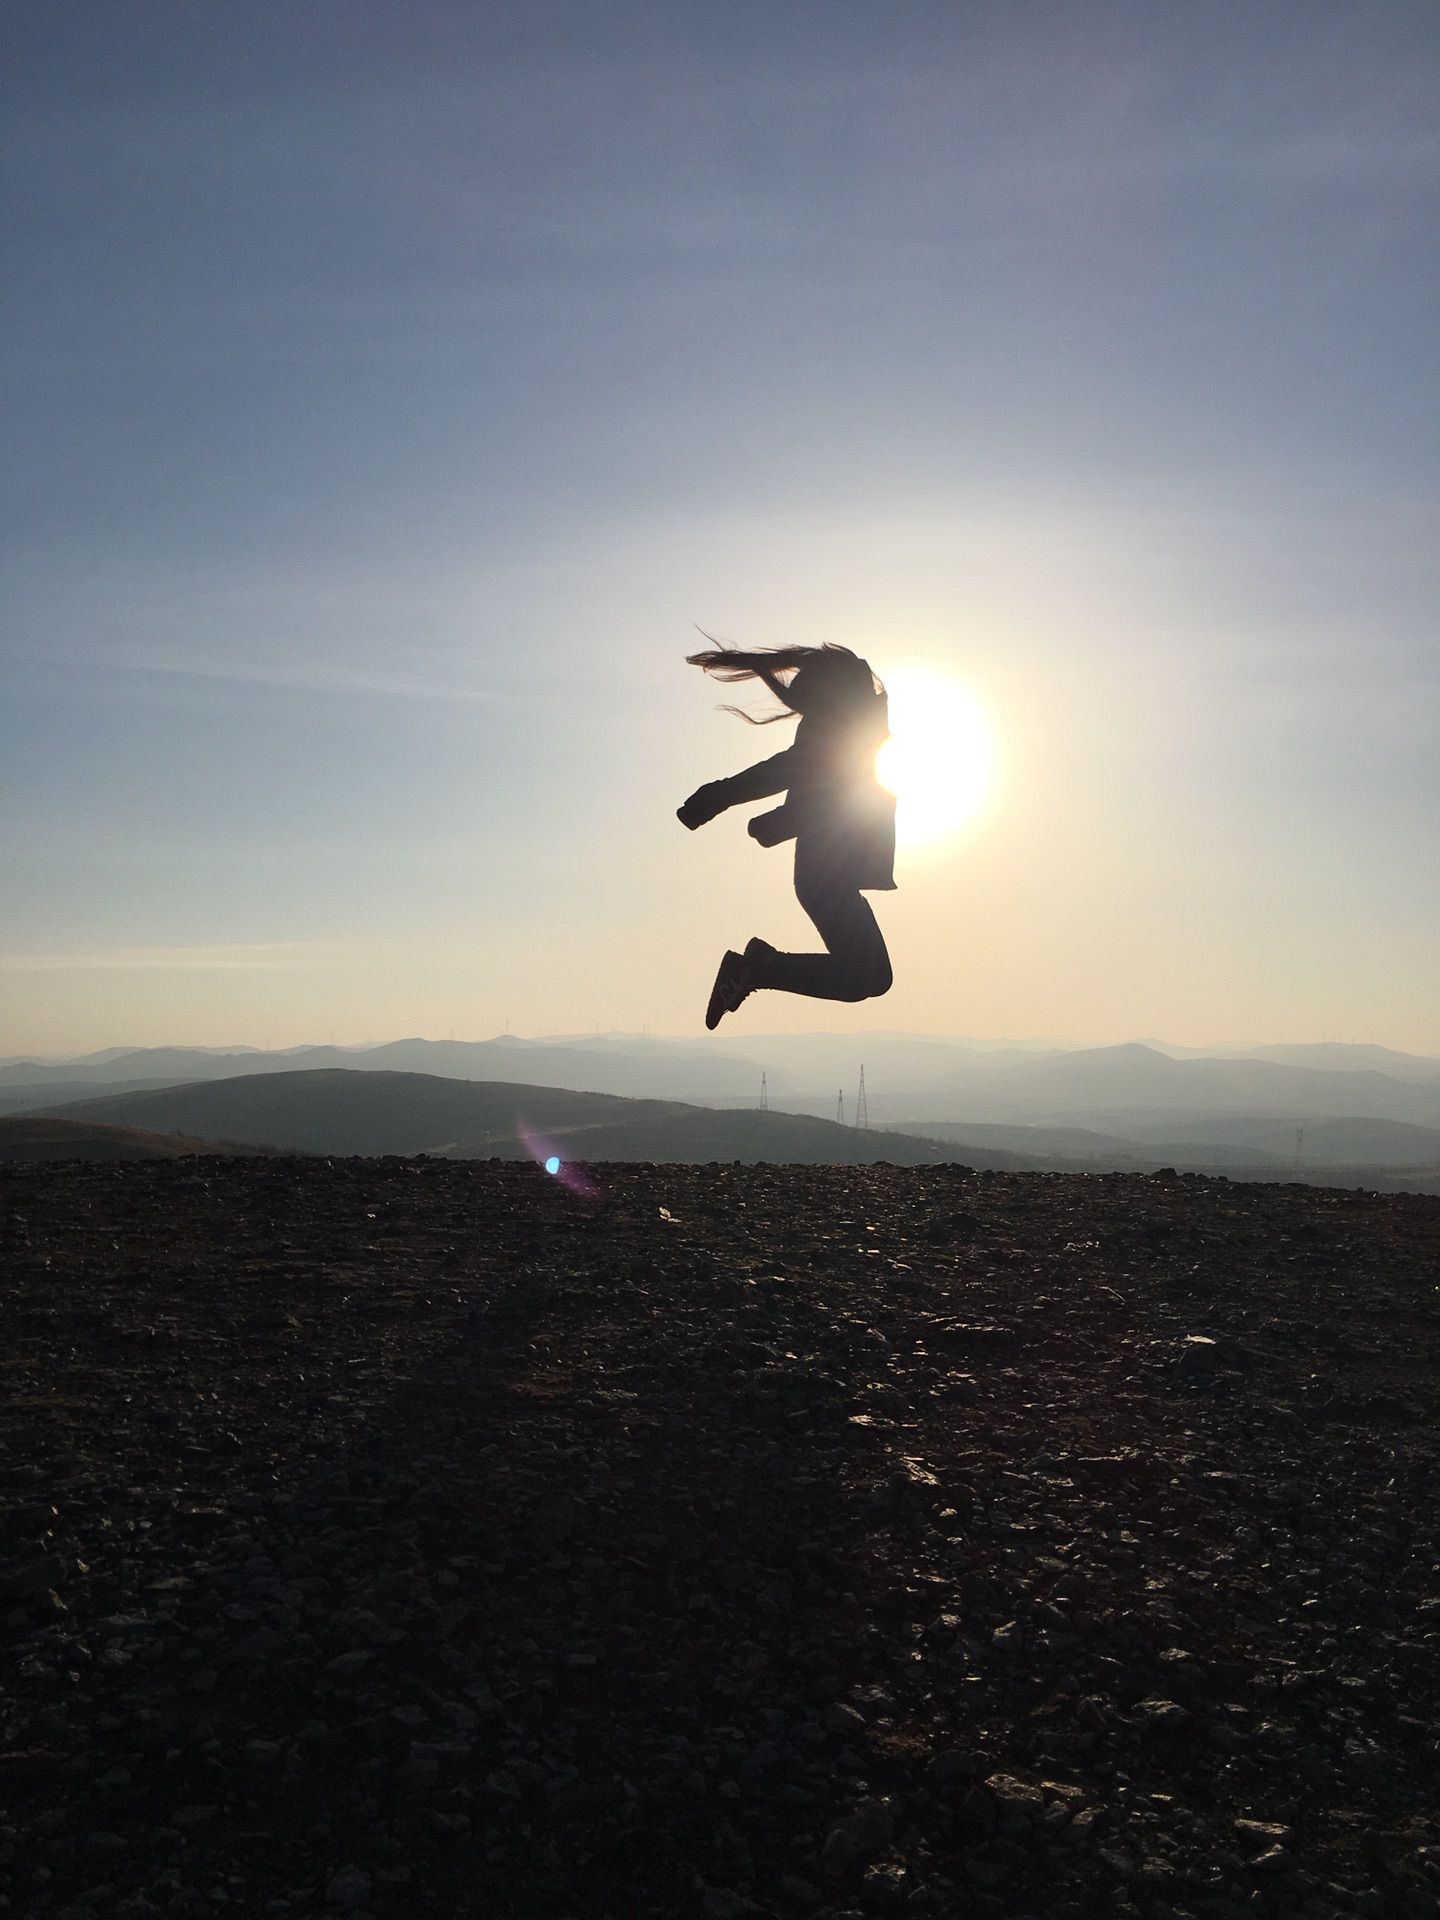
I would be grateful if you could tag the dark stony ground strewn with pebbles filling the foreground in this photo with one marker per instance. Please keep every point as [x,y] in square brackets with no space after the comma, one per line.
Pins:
[433,1539]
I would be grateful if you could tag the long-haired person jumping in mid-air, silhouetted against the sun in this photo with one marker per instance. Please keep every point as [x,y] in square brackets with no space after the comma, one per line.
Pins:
[836,811]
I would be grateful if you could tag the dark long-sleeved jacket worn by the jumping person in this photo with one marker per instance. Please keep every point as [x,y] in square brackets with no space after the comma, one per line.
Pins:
[836,811]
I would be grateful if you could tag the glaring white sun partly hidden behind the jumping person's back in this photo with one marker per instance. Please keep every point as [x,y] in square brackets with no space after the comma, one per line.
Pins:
[940,759]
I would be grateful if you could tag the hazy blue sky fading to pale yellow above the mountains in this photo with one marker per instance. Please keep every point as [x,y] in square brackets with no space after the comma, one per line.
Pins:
[391,389]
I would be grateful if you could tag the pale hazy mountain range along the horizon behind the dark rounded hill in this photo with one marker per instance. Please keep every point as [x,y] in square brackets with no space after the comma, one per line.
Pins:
[1266,1107]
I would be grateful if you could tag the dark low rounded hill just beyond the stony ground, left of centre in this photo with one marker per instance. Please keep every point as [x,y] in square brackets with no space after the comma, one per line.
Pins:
[348,1113]
